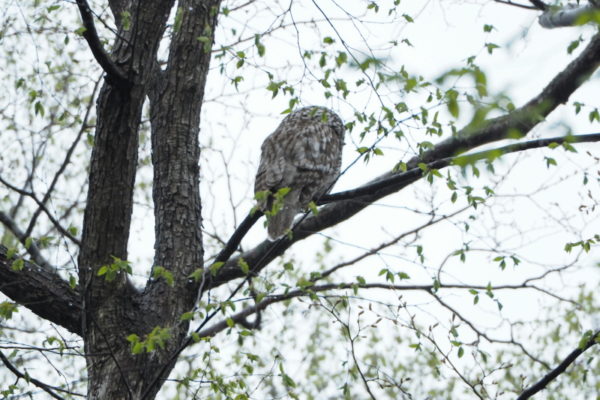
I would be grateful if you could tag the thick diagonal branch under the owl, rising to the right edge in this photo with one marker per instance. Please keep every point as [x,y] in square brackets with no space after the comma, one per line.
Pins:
[521,120]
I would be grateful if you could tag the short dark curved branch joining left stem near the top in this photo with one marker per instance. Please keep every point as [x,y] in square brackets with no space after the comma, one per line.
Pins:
[114,73]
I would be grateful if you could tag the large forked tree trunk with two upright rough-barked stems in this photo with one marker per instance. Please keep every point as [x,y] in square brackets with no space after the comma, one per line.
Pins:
[113,309]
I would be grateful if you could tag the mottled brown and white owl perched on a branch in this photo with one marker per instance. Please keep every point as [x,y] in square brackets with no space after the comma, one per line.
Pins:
[299,162]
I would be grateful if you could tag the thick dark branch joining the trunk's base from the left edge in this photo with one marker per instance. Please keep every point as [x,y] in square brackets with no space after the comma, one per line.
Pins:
[42,291]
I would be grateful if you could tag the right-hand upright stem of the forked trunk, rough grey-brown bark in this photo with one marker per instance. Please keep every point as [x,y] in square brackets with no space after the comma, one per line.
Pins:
[176,96]
